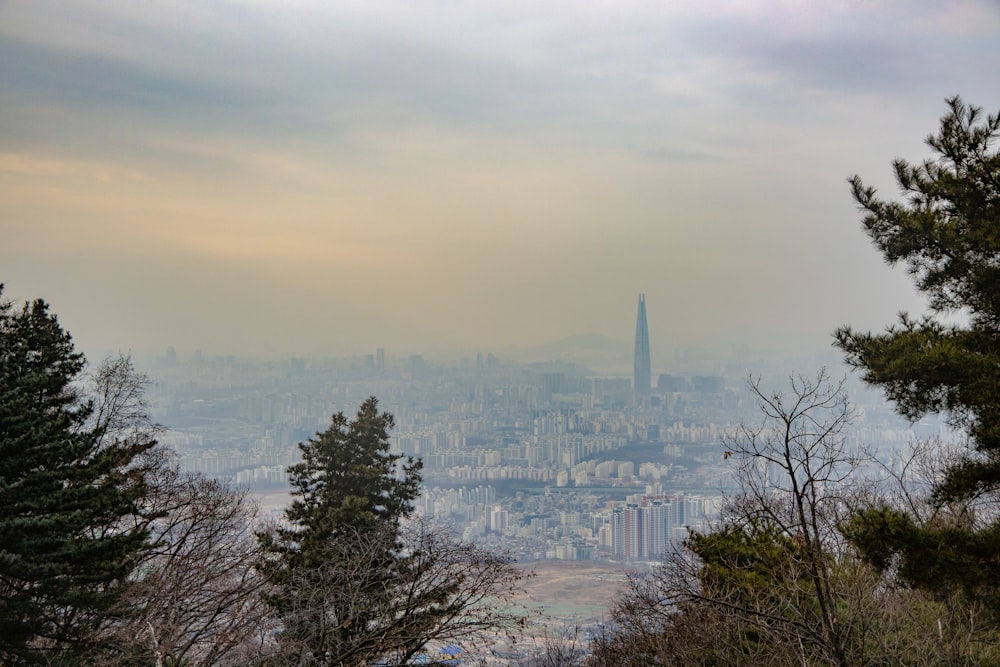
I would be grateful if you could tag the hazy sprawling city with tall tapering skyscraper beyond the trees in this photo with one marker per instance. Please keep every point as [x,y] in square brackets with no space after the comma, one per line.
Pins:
[547,460]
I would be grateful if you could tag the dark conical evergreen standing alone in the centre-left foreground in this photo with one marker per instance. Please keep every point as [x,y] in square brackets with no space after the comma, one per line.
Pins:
[335,564]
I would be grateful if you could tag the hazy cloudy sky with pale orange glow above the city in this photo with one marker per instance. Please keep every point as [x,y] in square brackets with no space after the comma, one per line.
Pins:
[330,177]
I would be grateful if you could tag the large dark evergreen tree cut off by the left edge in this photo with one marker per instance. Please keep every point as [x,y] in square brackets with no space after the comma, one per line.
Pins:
[67,497]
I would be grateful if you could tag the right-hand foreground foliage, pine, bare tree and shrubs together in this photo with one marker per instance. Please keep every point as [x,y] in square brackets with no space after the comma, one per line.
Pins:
[808,567]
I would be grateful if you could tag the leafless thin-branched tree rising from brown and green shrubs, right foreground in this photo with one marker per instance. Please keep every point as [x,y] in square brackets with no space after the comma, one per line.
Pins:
[776,581]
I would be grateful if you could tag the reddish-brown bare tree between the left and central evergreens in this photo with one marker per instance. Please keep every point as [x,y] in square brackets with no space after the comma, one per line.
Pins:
[196,598]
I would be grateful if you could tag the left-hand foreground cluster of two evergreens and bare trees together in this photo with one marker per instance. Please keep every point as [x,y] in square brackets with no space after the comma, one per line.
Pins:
[110,555]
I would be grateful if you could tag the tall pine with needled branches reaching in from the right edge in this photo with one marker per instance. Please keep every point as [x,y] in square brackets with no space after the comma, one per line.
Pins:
[947,233]
